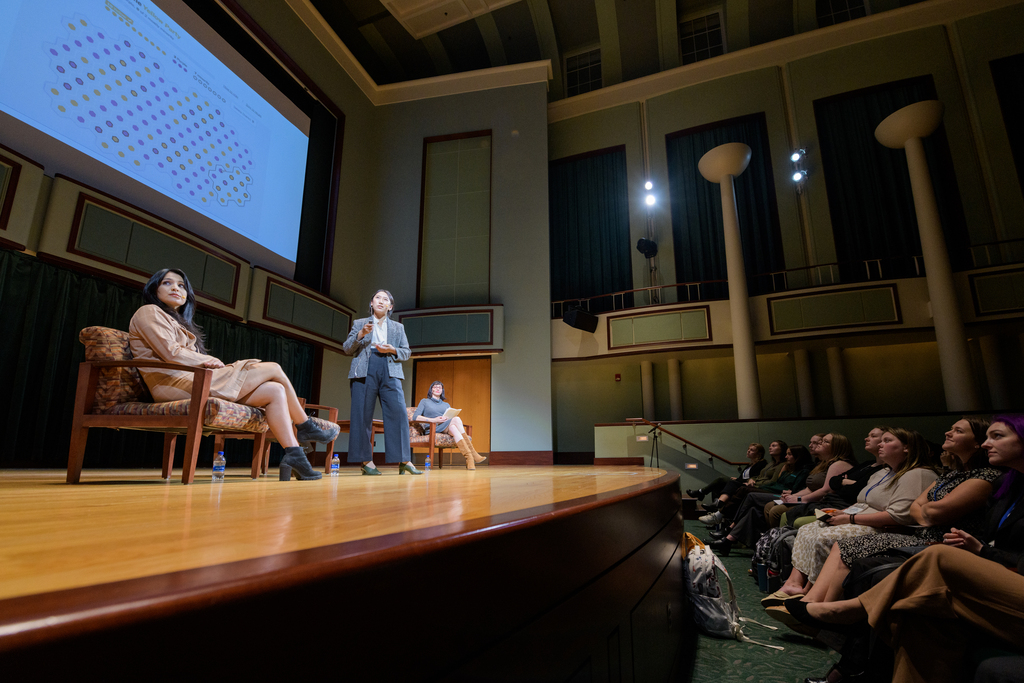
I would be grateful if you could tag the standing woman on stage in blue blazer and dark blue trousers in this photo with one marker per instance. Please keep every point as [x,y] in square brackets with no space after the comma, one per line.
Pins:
[379,346]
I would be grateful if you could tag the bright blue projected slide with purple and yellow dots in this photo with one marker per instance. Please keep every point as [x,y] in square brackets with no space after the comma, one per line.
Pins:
[121,82]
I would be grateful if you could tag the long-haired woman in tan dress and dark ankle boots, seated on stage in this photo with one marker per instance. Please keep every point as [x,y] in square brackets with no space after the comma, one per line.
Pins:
[164,330]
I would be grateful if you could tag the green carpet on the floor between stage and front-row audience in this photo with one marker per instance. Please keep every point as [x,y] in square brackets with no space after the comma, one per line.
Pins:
[720,661]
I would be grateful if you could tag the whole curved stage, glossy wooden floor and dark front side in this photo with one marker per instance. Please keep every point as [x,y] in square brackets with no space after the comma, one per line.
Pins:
[503,574]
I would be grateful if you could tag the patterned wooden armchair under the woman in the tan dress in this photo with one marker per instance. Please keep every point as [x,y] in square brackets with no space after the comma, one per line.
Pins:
[111,394]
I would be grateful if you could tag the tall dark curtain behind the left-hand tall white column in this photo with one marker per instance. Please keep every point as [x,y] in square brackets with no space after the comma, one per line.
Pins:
[697,207]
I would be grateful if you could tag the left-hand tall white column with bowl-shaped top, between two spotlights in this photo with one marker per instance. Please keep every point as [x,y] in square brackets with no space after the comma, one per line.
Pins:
[721,165]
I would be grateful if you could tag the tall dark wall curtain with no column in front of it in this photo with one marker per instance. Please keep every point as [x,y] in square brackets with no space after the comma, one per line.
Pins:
[590,228]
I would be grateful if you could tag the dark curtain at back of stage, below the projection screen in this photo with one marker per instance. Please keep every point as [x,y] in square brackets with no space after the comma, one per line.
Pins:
[42,310]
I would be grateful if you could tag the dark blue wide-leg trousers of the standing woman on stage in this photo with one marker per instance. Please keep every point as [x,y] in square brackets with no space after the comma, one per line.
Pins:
[366,391]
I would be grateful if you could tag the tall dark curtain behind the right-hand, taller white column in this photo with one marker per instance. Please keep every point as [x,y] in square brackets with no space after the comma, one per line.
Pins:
[869,185]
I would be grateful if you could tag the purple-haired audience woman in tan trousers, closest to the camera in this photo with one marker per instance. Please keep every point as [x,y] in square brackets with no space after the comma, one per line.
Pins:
[933,608]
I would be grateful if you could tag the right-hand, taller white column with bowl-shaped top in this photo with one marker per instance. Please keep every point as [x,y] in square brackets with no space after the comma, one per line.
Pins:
[905,130]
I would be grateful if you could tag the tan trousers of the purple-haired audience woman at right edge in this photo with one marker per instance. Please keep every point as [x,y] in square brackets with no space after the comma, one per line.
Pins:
[927,609]
